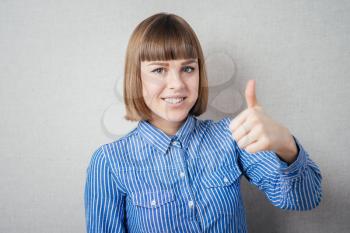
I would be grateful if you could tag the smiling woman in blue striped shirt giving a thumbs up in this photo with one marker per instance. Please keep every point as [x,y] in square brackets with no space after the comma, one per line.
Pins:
[175,172]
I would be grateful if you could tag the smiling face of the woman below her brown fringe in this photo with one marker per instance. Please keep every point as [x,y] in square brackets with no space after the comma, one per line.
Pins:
[170,89]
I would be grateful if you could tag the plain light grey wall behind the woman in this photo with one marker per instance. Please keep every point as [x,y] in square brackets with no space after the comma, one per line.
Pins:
[61,64]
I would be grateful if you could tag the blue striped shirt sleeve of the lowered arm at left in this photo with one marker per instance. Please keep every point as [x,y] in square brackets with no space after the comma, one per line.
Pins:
[104,203]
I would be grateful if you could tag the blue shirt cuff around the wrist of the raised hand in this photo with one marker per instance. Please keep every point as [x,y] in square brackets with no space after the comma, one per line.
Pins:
[297,166]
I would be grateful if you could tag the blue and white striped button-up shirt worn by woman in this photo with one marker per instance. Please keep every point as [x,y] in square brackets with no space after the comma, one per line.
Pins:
[147,181]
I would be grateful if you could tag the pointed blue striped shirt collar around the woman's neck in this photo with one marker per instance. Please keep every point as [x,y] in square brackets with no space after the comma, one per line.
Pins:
[161,140]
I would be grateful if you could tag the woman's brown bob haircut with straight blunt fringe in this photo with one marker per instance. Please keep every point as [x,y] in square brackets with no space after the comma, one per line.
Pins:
[160,37]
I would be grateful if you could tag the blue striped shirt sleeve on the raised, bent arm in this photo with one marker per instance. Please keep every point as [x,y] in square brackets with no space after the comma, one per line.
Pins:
[294,187]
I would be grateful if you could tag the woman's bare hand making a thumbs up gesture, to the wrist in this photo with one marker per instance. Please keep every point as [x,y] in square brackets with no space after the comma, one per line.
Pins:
[255,131]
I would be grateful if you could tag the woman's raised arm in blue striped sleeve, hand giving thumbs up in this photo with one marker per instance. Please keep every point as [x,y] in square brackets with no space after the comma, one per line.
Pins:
[273,159]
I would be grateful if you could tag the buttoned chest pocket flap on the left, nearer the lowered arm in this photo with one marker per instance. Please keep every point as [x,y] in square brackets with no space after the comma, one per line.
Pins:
[152,199]
